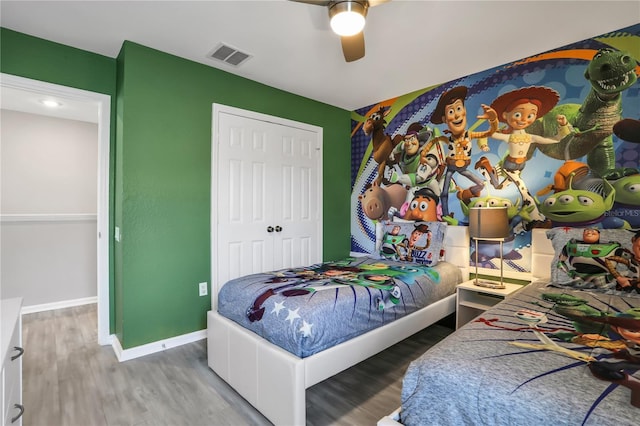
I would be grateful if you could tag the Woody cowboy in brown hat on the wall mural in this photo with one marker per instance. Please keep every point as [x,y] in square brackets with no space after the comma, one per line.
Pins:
[451,111]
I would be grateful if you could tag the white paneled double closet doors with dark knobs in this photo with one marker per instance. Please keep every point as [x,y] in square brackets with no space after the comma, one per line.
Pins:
[266,194]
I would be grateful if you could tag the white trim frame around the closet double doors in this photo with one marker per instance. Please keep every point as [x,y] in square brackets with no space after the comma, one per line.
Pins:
[216,111]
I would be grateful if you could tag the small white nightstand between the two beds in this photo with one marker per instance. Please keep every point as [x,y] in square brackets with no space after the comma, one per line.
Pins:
[472,300]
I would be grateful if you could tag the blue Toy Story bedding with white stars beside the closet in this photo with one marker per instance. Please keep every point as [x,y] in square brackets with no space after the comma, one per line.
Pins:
[307,310]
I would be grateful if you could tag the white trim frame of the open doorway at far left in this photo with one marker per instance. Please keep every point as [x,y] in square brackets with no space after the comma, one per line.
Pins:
[103,102]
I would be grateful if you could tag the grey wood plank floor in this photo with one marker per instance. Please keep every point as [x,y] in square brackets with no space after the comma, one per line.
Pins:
[68,379]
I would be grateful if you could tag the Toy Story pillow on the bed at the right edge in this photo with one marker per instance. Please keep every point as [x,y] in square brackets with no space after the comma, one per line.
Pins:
[586,262]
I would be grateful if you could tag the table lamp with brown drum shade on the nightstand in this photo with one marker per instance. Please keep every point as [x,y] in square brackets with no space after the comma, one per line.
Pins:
[489,224]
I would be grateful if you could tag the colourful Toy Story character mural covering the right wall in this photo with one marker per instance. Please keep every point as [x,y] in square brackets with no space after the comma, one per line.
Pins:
[554,137]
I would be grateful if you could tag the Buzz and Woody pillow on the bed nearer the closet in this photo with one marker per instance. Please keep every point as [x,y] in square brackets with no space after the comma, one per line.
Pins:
[416,242]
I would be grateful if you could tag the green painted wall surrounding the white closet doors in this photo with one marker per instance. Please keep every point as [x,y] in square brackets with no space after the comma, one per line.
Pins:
[161,171]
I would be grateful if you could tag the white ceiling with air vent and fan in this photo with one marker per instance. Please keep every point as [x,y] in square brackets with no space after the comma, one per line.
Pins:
[410,45]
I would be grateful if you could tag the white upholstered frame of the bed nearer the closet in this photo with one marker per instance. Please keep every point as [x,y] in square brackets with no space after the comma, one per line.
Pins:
[274,381]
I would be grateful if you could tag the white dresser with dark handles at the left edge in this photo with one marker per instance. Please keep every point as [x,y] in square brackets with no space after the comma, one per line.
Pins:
[11,337]
